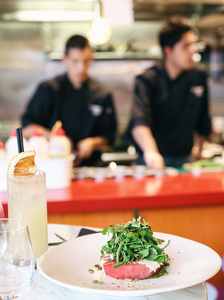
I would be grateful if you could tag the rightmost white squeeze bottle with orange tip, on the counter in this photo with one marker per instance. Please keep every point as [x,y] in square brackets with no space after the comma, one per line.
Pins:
[59,144]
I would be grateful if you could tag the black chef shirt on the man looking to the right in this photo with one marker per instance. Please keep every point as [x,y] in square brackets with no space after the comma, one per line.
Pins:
[173,109]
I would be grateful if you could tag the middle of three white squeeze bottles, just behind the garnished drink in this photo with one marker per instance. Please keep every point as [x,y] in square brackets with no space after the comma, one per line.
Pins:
[39,143]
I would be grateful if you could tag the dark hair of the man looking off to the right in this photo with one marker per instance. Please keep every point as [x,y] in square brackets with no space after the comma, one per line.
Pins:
[172,31]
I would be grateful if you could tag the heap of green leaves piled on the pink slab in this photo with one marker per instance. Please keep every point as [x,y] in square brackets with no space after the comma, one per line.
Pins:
[133,241]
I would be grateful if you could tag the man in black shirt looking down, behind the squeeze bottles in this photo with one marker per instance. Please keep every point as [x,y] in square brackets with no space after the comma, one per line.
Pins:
[83,105]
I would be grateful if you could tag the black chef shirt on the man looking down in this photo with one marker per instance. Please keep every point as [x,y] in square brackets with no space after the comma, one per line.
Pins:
[84,112]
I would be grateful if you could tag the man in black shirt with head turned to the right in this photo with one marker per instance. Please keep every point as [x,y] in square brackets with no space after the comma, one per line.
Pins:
[171,102]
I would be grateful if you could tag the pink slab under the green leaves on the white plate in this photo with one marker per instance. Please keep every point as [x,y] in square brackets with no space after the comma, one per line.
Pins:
[131,270]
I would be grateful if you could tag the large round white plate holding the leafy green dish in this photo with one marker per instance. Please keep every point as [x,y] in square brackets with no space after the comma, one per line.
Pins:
[67,265]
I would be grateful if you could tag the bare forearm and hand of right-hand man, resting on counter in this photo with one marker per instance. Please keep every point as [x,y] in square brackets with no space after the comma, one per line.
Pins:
[144,138]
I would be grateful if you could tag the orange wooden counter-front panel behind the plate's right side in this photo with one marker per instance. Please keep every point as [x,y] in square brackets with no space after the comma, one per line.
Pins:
[204,224]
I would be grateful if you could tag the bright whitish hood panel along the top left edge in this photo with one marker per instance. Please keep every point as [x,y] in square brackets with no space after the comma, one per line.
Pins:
[49,11]
